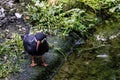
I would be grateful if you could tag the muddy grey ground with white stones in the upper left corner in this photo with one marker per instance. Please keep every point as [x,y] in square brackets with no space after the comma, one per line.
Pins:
[12,18]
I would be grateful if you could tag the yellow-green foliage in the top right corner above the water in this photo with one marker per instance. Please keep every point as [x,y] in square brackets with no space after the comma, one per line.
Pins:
[108,7]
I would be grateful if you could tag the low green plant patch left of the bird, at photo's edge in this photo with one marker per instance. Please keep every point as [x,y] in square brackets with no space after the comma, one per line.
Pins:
[10,52]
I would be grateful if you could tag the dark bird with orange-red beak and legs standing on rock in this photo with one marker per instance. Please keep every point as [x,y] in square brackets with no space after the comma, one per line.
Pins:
[35,45]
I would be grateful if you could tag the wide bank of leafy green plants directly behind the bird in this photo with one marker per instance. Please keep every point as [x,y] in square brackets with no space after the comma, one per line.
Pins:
[54,19]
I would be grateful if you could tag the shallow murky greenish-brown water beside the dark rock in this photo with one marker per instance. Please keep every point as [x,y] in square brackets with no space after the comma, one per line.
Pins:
[98,58]
